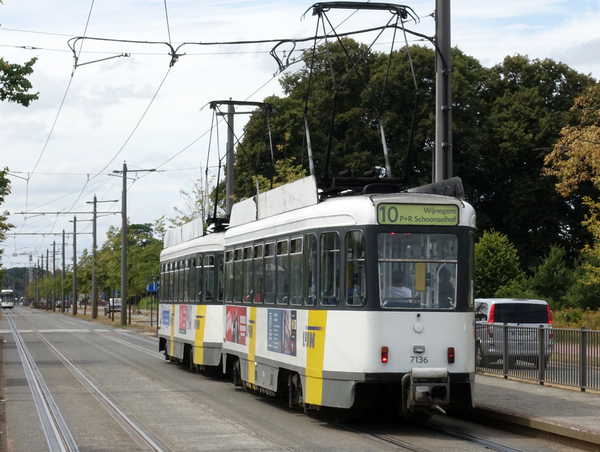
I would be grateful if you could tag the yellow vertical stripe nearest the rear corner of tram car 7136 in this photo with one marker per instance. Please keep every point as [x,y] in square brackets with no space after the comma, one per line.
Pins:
[315,353]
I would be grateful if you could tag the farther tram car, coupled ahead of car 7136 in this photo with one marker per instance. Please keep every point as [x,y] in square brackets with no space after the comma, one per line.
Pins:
[191,294]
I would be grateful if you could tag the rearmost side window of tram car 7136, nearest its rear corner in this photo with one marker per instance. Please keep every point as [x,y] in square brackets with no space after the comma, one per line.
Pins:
[356,274]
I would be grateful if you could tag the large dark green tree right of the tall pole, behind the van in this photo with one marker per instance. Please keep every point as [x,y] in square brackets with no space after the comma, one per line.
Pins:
[525,105]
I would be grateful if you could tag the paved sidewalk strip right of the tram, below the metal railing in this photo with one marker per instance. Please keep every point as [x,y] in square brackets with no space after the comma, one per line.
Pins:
[564,412]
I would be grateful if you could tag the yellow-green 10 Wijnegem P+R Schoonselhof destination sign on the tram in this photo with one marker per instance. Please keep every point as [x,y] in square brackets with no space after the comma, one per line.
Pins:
[417,214]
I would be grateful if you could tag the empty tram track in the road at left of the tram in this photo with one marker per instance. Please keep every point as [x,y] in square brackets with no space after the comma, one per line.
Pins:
[56,431]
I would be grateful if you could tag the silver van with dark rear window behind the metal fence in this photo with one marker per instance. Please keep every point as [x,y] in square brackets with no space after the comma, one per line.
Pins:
[523,319]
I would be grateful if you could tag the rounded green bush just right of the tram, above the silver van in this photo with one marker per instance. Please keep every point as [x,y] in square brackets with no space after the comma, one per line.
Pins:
[496,264]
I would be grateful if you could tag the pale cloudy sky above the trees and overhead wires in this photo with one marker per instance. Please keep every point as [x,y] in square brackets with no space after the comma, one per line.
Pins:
[63,149]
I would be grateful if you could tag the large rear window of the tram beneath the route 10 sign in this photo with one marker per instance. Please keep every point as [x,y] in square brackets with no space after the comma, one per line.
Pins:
[417,270]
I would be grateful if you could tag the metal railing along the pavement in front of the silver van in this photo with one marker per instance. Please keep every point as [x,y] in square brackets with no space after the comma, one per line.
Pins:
[547,355]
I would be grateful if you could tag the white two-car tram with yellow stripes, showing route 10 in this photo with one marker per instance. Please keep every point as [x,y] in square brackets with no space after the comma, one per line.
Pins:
[339,303]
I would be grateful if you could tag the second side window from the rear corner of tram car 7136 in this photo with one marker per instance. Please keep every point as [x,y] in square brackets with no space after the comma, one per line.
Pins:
[329,283]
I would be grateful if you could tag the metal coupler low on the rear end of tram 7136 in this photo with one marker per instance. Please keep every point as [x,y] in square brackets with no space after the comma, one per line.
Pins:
[425,389]
